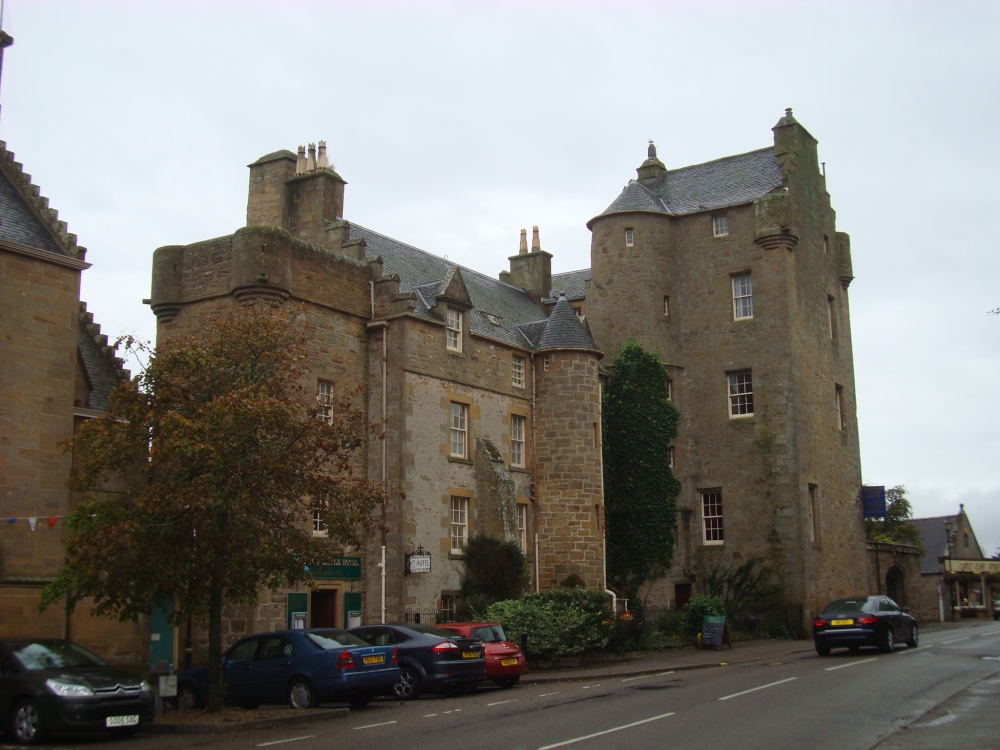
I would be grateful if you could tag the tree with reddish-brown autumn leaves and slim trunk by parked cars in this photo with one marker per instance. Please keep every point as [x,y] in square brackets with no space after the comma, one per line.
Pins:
[200,479]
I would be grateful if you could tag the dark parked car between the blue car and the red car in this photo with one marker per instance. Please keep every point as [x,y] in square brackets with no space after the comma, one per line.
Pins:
[430,658]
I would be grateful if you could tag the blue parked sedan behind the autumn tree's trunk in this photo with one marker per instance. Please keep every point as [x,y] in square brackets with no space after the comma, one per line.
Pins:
[302,668]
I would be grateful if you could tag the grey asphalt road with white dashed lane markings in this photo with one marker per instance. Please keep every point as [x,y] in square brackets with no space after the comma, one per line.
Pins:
[944,694]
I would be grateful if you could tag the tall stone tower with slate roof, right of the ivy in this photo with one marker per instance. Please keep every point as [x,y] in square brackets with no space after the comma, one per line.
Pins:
[735,269]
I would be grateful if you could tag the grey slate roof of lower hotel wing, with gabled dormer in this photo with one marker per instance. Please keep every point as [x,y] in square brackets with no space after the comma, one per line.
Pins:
[500,311]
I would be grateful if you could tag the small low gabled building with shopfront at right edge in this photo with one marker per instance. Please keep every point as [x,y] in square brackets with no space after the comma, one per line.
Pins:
[955,574]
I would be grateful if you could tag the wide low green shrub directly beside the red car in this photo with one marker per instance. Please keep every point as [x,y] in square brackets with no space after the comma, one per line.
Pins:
[559,623]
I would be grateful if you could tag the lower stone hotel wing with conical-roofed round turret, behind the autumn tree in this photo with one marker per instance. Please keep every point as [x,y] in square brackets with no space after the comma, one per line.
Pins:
[479,435]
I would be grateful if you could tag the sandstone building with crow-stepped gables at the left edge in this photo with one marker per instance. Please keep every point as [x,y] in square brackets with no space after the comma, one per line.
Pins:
[56,370]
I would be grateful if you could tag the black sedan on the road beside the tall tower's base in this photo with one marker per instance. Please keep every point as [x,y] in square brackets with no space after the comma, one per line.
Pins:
[856,621]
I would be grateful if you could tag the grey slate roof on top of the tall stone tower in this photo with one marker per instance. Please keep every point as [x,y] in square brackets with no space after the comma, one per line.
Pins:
[724,182]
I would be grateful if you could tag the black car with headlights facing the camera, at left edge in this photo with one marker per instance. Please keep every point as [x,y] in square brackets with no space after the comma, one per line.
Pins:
[53,685]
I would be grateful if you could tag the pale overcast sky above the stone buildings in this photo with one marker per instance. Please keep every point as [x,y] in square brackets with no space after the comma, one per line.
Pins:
[457,124]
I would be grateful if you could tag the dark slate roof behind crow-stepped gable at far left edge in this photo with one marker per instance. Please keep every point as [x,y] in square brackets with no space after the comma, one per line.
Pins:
[25,216]
